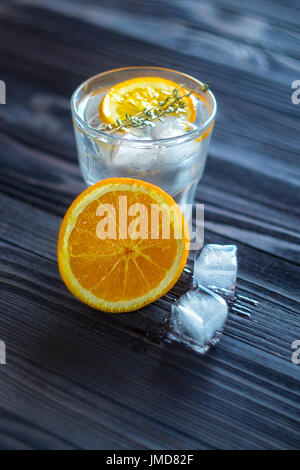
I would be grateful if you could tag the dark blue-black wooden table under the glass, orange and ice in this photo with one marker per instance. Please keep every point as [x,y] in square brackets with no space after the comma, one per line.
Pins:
[78,378]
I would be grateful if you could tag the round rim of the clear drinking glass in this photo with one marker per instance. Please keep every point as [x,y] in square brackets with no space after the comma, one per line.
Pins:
[117,139]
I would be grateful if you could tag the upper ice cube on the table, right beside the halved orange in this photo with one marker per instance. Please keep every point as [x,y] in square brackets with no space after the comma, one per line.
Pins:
[216,267]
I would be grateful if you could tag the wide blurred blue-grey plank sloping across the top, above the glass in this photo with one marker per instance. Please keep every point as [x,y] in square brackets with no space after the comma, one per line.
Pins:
[208,30]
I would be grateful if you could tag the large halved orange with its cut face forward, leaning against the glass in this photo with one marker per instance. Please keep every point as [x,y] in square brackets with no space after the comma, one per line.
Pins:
[123,264]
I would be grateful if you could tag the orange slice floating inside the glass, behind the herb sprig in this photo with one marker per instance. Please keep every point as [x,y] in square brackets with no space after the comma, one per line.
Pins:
[134,95]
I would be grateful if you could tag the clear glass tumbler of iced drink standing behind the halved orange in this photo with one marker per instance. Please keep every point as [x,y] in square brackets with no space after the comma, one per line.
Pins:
[175,163]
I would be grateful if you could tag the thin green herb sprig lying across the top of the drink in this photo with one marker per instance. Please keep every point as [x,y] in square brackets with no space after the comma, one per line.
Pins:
[172,104]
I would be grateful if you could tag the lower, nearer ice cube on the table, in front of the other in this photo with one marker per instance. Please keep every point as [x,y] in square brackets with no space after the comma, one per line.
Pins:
[197,319]
